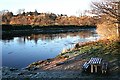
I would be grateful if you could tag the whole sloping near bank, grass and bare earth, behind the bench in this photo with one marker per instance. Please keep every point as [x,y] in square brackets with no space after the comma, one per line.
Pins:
[73,59]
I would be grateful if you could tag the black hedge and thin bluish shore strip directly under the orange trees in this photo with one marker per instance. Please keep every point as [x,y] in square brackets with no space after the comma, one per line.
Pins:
[7,28]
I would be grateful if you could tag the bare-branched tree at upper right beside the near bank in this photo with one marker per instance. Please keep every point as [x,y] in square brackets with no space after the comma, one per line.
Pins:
[110,8]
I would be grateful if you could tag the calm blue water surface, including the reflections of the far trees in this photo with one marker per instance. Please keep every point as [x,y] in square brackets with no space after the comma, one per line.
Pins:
[20,51]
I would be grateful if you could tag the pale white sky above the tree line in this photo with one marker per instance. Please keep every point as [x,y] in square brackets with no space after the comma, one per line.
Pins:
[69,7]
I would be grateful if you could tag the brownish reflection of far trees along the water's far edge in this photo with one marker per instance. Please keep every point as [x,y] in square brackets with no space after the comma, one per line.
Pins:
[48,37]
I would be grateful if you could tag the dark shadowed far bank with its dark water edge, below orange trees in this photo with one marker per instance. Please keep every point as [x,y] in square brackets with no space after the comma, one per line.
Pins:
[23,30]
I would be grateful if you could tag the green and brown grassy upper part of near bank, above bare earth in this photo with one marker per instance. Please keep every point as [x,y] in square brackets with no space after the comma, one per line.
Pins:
[106,49]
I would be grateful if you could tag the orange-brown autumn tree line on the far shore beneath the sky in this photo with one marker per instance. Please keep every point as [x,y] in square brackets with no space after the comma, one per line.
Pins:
[35,18]
